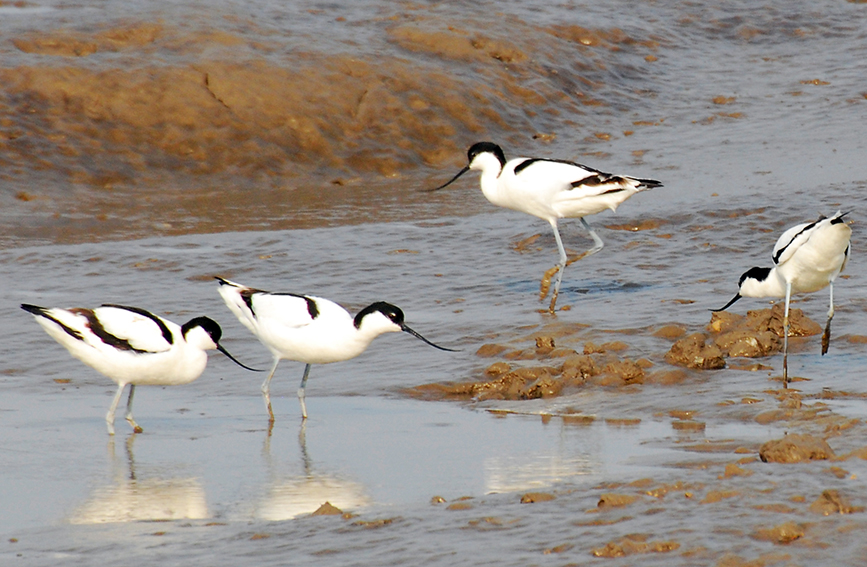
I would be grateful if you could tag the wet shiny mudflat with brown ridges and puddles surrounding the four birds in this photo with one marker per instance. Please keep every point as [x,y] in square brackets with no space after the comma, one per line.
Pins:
[595,439]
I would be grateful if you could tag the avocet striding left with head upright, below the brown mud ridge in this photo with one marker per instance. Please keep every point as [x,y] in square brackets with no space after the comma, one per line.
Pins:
[550,189]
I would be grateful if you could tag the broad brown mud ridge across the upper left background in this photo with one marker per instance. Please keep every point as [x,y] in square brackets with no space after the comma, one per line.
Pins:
[214,116]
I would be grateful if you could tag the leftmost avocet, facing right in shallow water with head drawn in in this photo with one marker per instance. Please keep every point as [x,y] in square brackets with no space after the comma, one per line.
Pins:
[132,346]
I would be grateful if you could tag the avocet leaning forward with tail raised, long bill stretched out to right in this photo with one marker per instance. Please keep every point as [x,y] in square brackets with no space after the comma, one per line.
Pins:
[309,329]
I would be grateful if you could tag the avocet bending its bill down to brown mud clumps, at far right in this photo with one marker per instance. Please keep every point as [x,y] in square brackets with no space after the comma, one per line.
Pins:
[807,258]
